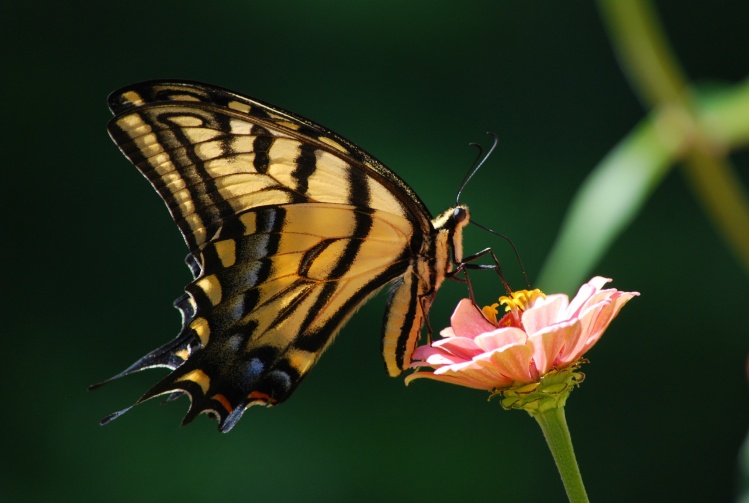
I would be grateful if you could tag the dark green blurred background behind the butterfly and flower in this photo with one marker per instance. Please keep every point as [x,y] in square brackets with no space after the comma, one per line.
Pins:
[91,260]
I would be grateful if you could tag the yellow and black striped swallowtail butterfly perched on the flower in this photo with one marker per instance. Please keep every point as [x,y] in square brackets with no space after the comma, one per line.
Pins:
[290,228]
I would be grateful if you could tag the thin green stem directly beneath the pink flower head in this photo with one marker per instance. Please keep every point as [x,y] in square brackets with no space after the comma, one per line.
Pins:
[554,425]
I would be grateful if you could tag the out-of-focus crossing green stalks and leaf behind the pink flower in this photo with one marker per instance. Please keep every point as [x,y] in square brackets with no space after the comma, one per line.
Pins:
[699,128]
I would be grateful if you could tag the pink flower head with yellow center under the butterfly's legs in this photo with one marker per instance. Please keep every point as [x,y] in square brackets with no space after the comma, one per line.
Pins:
[539,334]
